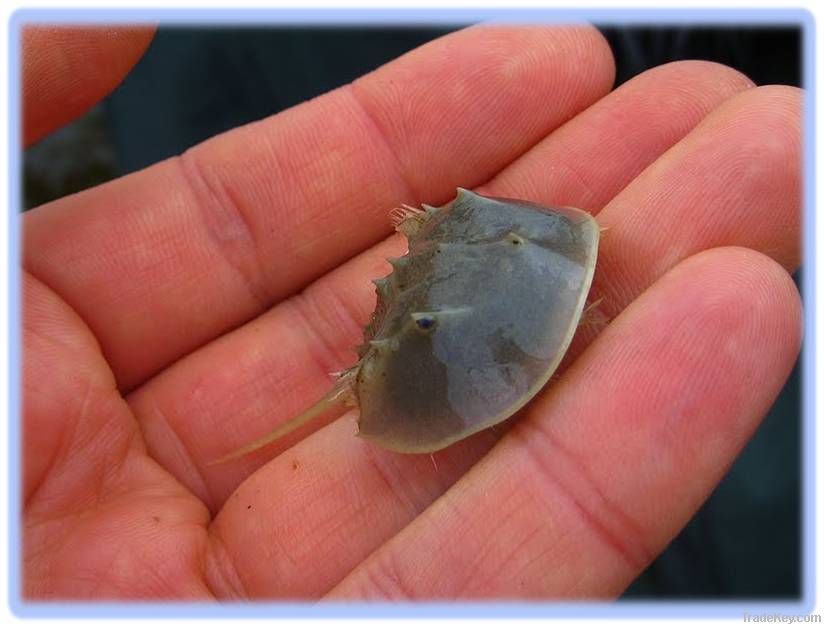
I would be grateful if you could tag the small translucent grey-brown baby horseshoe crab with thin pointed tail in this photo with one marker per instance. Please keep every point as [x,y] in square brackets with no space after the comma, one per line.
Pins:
[470,324]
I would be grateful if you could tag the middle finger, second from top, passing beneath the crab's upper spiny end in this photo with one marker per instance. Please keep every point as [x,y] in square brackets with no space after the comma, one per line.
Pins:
[194,412]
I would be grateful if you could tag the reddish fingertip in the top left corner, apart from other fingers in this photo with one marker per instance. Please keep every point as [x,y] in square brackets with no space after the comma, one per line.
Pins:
[67,69]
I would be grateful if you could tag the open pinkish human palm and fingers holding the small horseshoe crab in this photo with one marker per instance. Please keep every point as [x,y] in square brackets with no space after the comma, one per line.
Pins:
[176,313]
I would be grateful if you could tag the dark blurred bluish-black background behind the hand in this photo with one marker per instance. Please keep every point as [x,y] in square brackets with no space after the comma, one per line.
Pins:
[196,82]
